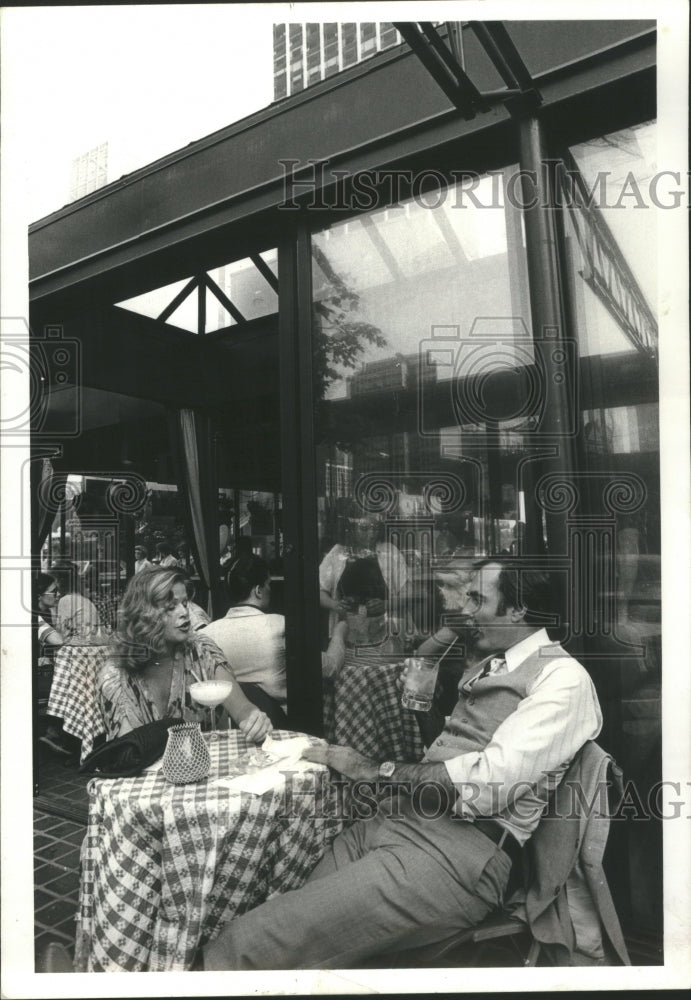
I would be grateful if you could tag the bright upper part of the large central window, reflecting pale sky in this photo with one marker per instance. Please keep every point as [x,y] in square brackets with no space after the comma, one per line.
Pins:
[413,268]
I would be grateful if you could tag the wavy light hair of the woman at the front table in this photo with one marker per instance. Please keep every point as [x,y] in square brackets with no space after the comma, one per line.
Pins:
[139,635]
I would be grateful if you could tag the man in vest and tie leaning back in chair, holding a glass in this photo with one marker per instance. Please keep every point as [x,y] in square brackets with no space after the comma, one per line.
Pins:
[409,878]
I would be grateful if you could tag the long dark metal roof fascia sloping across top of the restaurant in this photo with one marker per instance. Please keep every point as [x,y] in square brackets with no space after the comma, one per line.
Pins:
[223,197]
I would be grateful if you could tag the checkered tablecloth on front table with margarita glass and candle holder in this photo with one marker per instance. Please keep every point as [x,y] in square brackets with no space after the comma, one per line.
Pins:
[164,866]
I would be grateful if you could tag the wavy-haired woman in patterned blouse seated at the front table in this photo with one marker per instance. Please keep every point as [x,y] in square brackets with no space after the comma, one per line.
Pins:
[155,658]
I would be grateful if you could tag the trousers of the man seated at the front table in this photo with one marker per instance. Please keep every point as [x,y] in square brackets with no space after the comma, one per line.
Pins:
[384,885]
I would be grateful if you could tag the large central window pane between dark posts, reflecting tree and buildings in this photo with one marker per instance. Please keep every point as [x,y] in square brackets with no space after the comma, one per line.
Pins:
[397,296]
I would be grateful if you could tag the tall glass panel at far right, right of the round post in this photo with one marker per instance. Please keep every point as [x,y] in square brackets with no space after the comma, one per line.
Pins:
[620,450]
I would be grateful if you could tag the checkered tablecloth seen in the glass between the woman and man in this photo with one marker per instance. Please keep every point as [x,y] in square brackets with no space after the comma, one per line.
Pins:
[362,709]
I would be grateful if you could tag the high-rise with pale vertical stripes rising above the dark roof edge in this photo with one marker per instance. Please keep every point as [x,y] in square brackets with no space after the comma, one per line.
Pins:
[307,53]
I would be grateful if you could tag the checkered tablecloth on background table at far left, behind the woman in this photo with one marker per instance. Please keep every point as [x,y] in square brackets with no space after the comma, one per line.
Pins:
[73,693]
